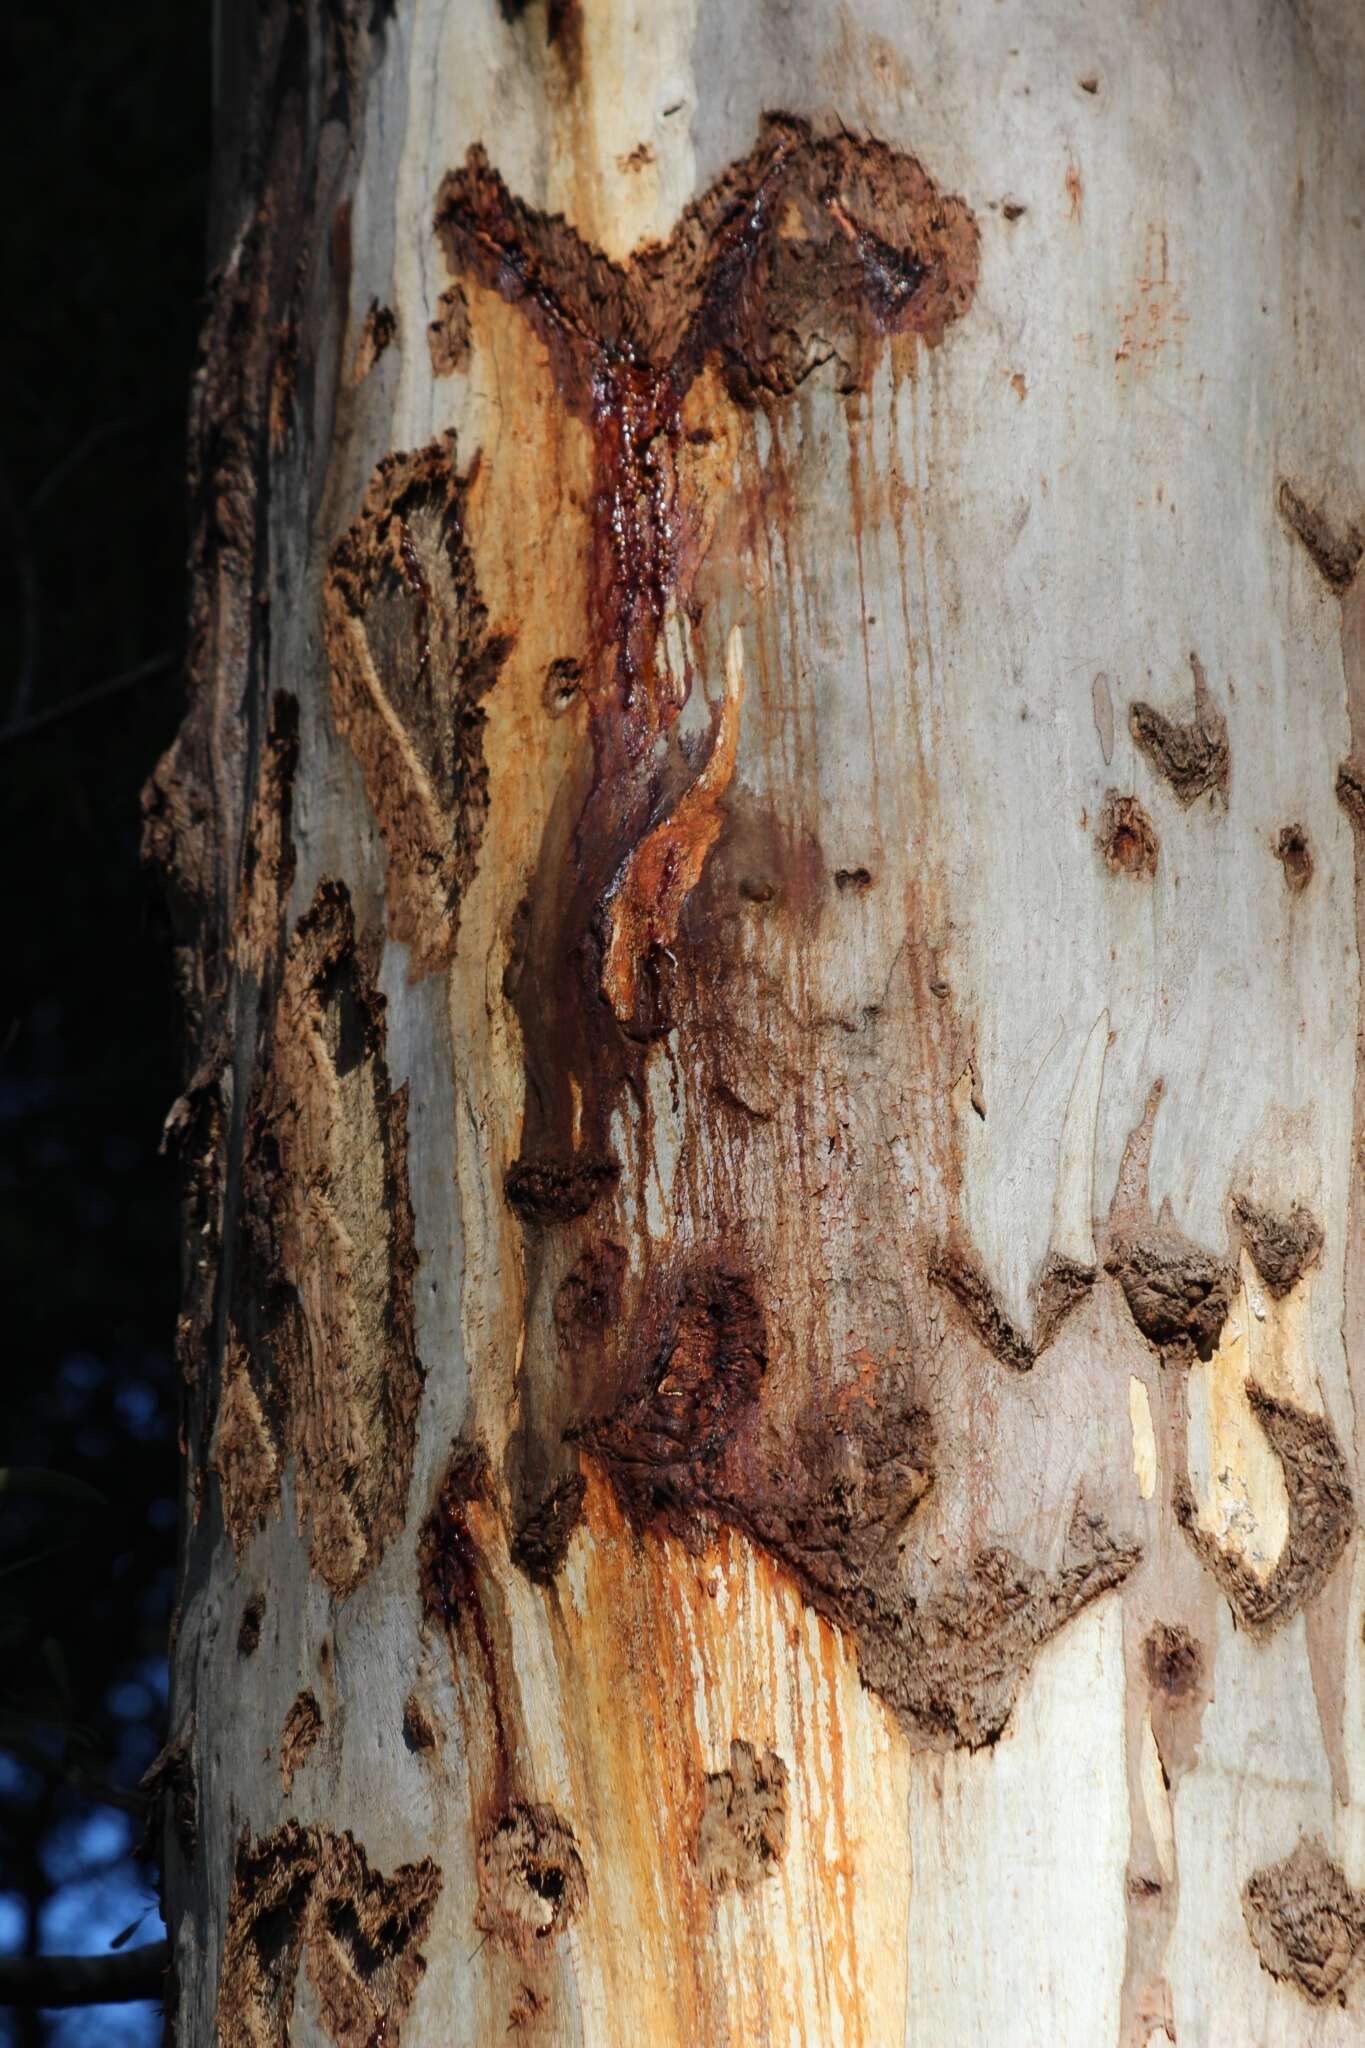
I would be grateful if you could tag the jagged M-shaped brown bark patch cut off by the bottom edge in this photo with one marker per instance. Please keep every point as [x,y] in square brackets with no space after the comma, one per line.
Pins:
[308,1895]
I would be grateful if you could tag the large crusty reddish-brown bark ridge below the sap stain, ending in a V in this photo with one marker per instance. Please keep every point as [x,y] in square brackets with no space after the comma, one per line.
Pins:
[689,1447]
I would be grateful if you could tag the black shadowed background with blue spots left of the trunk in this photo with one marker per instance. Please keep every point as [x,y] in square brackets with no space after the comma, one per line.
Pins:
[105,144]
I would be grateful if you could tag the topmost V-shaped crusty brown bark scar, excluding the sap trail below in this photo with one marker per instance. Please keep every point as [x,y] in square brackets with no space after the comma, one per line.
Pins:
[805,249]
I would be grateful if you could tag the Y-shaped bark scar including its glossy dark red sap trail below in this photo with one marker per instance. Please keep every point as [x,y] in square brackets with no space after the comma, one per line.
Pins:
[803,253]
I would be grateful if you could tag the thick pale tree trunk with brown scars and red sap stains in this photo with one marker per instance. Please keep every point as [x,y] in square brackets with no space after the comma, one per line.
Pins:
[764,851]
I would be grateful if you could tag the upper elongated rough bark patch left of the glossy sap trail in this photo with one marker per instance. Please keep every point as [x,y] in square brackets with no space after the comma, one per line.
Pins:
[412,658]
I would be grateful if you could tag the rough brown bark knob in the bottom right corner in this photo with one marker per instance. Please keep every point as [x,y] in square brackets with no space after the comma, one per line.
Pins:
[1307,1922]
